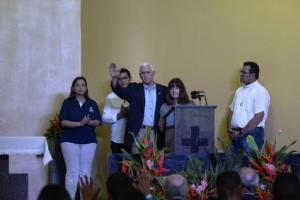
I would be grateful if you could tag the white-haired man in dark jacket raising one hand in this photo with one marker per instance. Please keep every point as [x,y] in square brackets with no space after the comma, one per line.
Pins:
[145,101]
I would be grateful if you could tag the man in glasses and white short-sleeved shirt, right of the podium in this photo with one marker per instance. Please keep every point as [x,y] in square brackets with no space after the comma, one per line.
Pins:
[248,110]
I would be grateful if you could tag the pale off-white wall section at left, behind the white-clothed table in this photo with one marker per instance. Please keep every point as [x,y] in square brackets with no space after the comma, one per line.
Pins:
[40,55]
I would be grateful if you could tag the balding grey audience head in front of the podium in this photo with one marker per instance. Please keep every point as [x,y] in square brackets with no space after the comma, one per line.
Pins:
[175,187]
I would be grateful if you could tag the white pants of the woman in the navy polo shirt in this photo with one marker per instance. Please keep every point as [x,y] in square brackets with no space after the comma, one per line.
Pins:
[79,161]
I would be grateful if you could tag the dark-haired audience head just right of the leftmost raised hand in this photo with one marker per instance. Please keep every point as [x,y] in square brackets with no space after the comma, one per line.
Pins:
[117,183]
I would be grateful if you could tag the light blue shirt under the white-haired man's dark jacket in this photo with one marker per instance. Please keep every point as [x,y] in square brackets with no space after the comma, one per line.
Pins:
[150,102]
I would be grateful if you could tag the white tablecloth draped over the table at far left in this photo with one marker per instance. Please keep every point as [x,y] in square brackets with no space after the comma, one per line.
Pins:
[28,145]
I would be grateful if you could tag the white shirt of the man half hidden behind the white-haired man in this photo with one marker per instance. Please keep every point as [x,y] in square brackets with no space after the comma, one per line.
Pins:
[111,109]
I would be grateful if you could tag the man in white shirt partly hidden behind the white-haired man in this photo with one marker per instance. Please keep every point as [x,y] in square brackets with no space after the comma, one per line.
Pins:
[115,112]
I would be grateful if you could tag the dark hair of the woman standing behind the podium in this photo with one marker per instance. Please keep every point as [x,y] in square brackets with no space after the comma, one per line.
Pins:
[183,96]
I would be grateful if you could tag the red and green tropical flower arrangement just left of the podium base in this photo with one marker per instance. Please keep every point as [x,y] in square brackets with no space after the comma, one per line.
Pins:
[150,159]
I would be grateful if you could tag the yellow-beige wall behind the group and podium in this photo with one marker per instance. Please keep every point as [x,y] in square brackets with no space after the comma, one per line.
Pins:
[204,42]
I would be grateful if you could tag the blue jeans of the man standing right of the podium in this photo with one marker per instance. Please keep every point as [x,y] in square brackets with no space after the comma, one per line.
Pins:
[241,143]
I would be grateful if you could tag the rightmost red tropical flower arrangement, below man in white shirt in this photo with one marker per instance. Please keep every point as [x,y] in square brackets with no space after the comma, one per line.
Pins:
[268,163]
